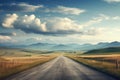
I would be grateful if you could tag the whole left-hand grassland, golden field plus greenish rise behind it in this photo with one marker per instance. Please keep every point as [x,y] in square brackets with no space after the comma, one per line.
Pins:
[20,61]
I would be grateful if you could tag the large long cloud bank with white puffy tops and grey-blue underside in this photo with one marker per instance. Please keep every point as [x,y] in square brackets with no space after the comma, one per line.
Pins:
[32,24]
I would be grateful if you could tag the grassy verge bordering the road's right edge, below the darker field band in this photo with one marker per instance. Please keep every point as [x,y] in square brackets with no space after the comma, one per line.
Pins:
[103,66]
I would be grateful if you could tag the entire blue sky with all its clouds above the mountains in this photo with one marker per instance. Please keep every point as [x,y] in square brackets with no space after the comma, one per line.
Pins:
[59,21]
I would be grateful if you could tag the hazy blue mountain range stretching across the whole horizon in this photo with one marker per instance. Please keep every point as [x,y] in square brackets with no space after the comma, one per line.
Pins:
[66,47]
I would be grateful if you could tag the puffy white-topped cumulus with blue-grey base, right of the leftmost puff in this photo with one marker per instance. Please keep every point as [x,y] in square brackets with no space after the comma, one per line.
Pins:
[30,23]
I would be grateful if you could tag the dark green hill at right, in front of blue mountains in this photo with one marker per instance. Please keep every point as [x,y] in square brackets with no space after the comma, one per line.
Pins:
[105,50]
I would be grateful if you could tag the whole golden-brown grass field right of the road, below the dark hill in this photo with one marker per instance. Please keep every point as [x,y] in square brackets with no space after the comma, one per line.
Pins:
[109,64]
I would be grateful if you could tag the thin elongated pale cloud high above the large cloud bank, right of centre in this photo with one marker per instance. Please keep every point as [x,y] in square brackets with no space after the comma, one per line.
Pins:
[66,10]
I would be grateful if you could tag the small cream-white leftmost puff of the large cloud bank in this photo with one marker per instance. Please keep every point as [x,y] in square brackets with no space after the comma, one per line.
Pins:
[9,20]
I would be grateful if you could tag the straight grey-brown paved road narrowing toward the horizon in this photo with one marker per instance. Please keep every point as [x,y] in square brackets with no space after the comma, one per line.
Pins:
[61,68]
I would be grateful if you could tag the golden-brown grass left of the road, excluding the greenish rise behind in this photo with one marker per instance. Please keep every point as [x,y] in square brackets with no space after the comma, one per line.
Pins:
[13,65]
